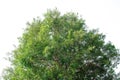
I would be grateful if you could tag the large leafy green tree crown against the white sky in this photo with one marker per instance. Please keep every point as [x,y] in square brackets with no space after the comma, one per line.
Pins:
[60,47]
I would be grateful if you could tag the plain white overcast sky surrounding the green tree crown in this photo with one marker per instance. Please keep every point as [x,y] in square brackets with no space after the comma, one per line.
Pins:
[14,14]
